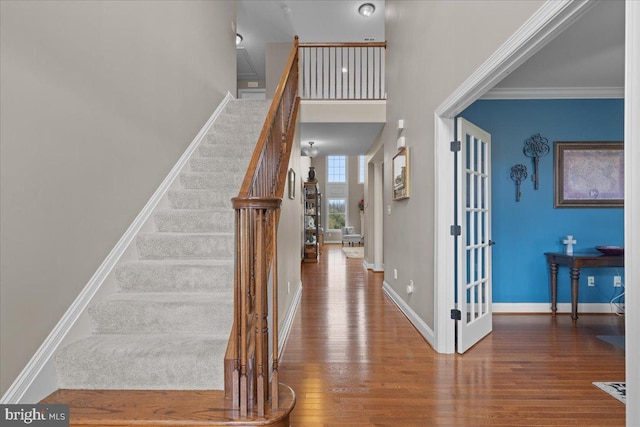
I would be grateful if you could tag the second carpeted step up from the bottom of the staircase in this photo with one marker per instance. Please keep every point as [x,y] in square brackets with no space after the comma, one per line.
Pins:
[164,313]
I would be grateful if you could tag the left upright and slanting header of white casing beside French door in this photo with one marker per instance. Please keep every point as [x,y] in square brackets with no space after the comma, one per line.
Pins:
[549,21]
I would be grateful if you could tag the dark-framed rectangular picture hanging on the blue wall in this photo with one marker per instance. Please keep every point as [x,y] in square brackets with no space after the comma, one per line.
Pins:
[589,174]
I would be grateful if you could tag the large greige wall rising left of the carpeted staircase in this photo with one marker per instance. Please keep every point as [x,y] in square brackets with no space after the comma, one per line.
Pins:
[98,101]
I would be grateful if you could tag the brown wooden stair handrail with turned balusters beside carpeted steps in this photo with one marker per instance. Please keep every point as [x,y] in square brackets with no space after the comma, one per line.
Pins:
[257,209]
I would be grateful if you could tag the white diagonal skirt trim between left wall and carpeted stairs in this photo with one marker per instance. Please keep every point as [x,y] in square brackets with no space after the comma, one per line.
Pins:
[29,378]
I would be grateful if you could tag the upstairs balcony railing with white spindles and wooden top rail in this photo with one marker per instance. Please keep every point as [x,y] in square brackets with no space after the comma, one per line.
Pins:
[342,71]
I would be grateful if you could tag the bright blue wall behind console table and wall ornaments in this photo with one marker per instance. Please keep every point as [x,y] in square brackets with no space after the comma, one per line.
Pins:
[523,231]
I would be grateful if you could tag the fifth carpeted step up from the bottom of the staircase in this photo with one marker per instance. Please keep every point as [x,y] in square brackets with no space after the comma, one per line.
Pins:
[194,220]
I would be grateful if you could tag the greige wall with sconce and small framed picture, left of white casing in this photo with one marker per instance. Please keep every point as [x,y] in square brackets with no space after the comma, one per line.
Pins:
[438,44]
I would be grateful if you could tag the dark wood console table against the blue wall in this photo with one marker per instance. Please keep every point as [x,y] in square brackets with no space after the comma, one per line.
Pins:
[575,262]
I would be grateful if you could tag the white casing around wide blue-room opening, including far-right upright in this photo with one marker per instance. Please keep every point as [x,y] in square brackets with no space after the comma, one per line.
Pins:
[550,20]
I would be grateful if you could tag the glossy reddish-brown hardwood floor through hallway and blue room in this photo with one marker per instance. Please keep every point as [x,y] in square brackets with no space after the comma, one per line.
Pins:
[353,359]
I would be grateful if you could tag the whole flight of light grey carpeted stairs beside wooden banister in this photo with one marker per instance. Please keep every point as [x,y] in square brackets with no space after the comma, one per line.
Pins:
[168,325]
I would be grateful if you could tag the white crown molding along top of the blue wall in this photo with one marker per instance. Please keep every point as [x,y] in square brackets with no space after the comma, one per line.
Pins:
[555,93]
